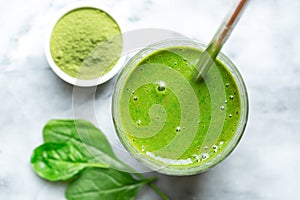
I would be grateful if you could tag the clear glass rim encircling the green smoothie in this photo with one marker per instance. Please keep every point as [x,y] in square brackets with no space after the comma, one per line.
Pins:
[188,170]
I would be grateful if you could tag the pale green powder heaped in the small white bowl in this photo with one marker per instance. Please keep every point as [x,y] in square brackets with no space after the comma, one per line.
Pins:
[86,43]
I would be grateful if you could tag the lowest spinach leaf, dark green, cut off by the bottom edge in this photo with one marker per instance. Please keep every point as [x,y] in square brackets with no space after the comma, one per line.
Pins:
[104,184]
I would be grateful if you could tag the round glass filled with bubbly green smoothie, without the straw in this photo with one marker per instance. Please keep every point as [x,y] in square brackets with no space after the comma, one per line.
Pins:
[172,123]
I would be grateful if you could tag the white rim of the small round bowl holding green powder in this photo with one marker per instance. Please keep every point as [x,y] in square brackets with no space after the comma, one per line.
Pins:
[62,74]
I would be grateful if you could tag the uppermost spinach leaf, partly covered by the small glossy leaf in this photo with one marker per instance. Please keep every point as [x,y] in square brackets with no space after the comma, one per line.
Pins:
[86,137]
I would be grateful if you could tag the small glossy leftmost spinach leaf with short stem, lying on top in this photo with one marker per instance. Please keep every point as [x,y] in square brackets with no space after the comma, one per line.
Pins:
[58,161]
